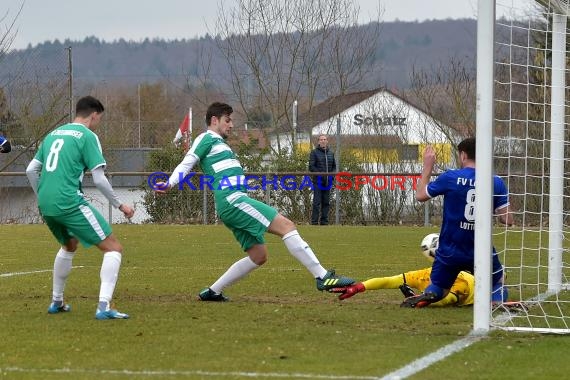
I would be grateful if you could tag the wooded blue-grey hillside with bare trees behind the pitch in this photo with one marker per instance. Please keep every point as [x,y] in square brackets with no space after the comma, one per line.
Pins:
[149,85]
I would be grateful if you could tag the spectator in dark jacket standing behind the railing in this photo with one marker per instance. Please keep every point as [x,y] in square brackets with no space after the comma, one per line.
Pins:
[321,160]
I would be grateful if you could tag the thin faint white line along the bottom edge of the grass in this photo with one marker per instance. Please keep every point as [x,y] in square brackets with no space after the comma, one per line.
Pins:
[151,373]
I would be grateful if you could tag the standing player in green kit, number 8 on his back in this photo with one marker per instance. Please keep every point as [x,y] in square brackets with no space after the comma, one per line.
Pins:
[55,174]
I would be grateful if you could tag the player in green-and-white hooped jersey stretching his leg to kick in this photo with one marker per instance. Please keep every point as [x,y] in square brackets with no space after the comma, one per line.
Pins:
[247,218]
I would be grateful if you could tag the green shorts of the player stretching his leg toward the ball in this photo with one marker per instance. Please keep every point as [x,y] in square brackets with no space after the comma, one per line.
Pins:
[248,219]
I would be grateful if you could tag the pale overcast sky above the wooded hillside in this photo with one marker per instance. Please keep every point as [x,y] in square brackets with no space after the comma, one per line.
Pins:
[109,20]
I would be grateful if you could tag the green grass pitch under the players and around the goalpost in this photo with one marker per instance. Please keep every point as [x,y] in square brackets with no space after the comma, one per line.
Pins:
[277,324]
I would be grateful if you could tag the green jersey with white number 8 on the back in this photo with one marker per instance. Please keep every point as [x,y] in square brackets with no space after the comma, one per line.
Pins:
[65,154]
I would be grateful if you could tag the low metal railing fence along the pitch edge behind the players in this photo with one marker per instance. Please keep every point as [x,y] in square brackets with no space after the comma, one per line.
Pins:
[356,199]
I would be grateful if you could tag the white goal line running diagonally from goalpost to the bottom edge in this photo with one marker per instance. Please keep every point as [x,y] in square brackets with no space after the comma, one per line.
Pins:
[422,363]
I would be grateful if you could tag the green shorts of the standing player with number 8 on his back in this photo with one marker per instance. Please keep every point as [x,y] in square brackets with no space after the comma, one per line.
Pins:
[85,223]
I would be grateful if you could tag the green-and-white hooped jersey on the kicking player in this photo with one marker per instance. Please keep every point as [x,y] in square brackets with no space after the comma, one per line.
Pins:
[220,166]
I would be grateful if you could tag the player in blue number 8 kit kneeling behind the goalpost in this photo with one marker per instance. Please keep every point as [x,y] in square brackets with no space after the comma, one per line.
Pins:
[457,236]
